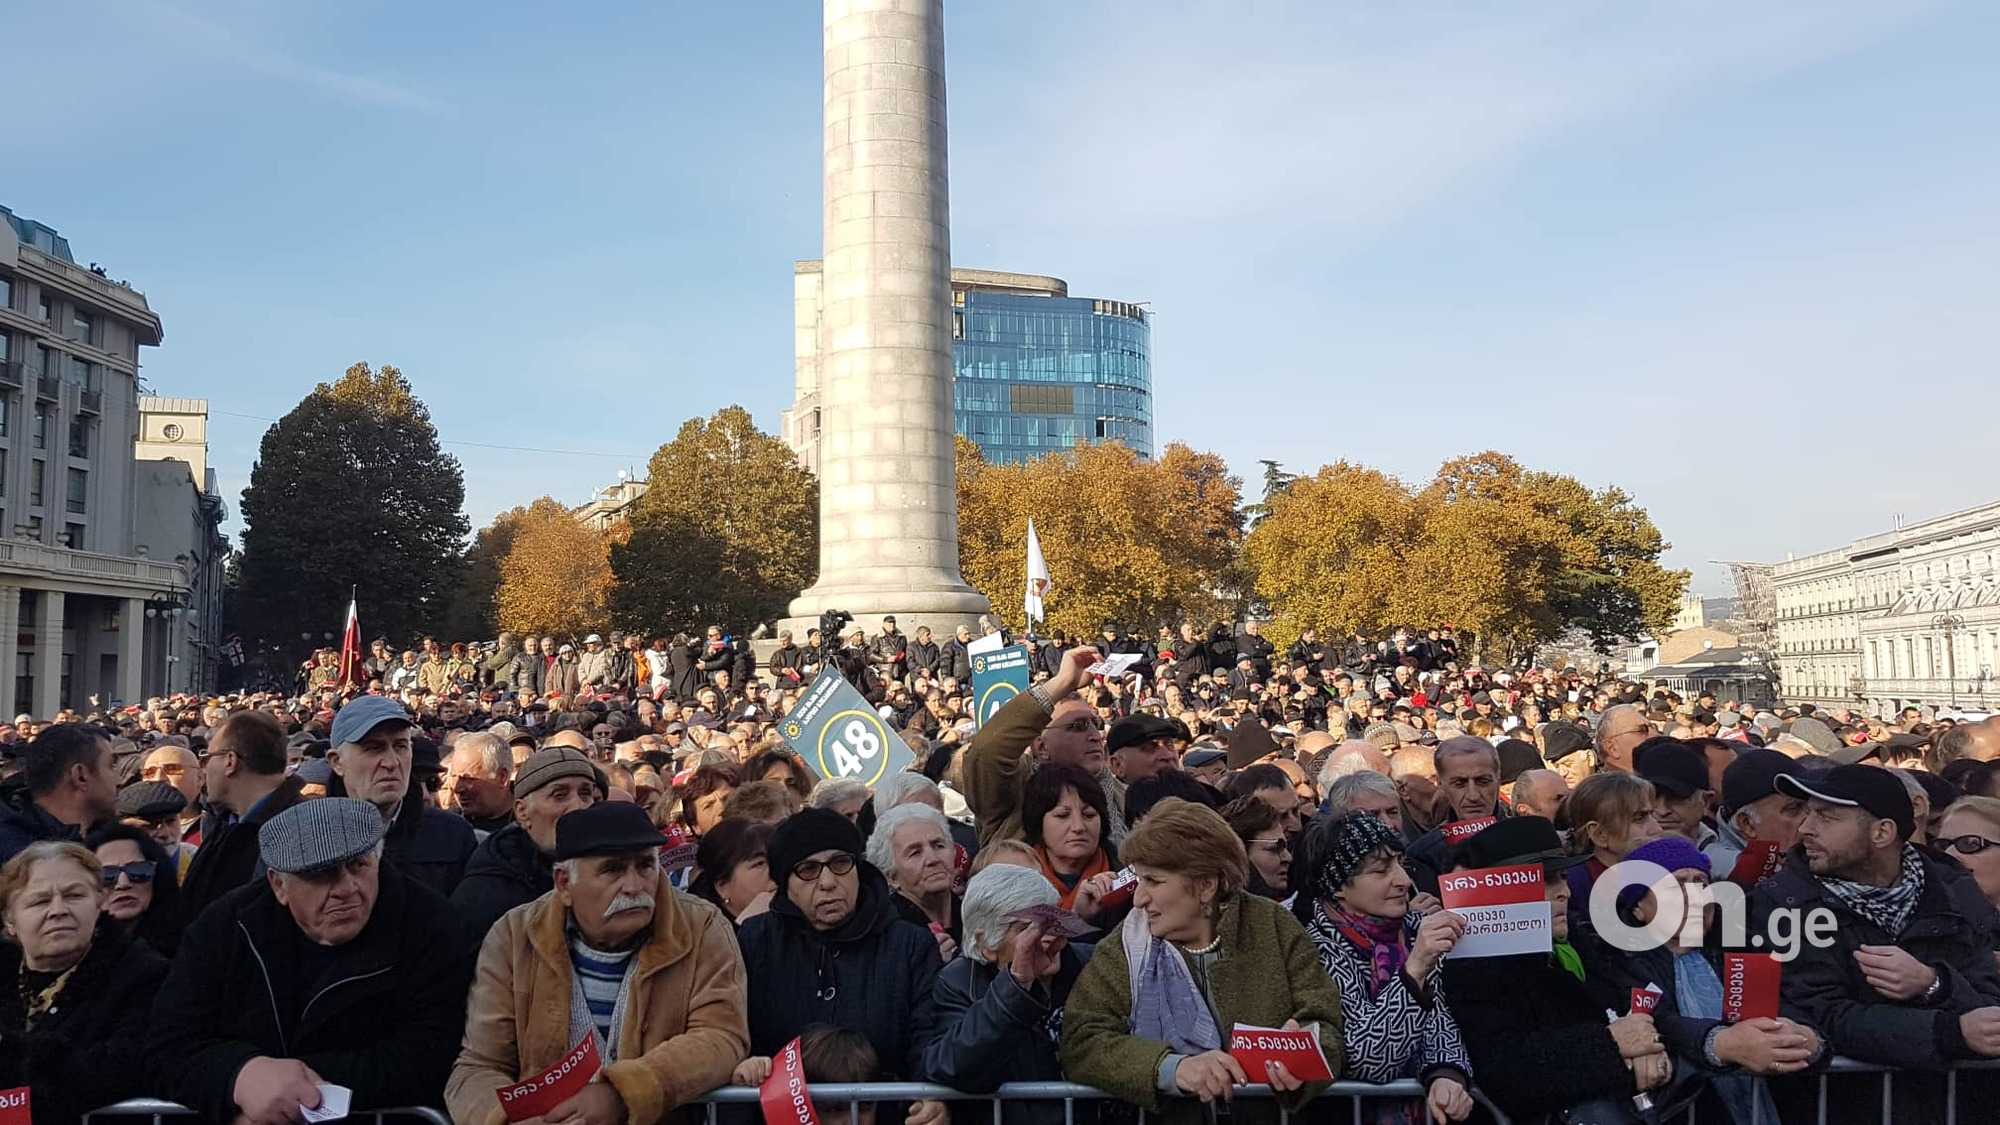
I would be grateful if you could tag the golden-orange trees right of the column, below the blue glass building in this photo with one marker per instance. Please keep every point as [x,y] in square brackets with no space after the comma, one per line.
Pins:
[1127,541]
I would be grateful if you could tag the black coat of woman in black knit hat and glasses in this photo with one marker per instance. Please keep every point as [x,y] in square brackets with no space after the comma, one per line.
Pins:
[873,974]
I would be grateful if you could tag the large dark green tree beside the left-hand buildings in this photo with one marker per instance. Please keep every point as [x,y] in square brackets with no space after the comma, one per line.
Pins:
[351,491]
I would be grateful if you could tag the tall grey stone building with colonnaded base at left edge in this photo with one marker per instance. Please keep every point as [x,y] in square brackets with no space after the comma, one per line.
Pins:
[81,606]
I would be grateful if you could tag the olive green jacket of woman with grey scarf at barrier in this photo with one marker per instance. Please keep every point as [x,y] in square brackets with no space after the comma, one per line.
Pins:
[1267,972]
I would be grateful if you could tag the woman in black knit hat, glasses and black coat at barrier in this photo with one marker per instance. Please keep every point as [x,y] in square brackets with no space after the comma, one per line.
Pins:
[833,950]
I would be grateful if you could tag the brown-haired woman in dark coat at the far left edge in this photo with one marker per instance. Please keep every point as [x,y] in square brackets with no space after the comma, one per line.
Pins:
[75,994]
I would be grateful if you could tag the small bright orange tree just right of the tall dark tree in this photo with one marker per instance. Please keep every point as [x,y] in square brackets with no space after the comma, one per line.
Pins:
[555,576]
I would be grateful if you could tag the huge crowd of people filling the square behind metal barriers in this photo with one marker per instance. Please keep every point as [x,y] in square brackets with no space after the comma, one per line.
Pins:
[437,880]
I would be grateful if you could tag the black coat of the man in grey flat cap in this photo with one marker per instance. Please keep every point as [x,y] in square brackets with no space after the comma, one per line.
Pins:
[381,1018]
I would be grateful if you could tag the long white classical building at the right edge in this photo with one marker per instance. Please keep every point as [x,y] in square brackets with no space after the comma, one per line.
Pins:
[1909,616]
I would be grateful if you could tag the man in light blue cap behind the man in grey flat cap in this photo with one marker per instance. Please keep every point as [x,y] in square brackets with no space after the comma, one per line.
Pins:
[373,754]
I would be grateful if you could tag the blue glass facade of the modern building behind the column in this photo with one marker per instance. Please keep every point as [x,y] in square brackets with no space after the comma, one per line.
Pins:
[1049,373]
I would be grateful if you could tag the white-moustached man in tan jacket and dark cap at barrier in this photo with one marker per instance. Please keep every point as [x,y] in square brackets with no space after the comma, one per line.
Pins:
[611,954]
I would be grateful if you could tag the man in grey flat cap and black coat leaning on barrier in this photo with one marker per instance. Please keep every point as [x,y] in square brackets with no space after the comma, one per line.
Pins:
[335,968]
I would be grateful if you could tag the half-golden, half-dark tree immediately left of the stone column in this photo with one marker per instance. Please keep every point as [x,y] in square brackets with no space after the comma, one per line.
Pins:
[729,531]
